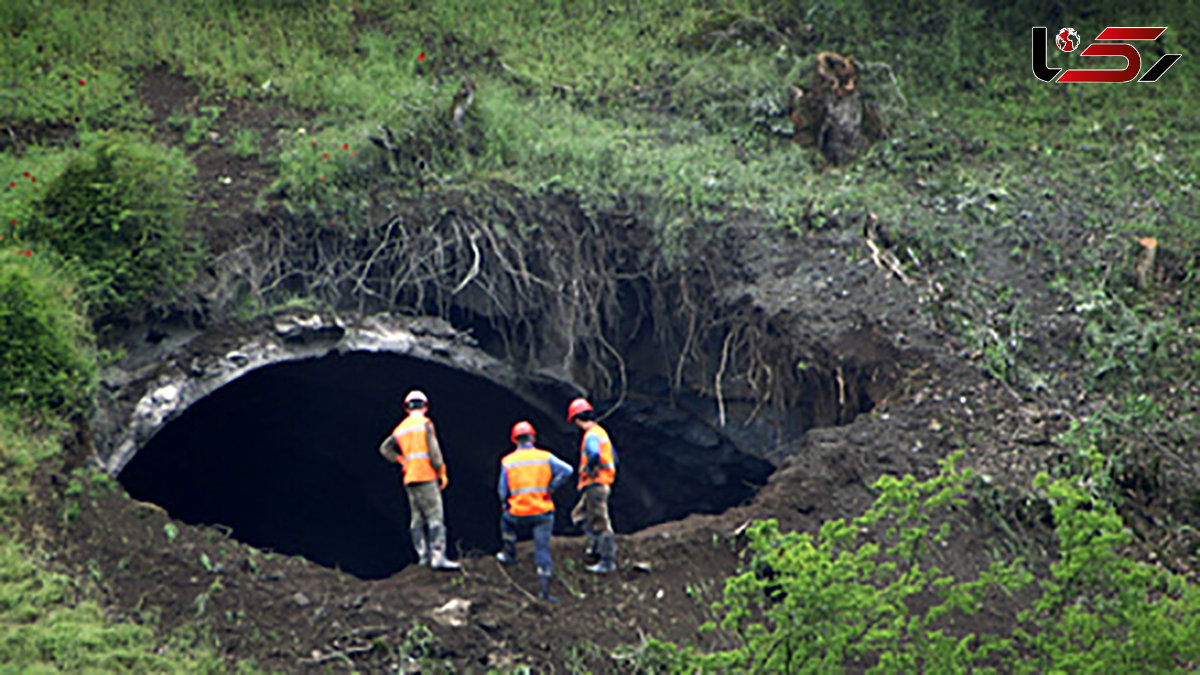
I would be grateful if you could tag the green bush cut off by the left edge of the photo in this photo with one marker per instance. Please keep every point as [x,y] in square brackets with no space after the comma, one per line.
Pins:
[46,356]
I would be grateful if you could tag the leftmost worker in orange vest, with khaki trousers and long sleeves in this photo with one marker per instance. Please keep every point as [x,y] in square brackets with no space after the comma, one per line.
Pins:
[415,446]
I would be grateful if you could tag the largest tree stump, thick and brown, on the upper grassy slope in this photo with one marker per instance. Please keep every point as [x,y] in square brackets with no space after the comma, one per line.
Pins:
[832,115]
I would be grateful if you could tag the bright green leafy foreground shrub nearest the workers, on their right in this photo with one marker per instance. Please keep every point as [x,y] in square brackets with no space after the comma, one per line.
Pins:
[839,600]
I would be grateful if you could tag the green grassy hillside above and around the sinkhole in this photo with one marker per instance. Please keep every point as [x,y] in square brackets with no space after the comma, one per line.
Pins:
[675,110]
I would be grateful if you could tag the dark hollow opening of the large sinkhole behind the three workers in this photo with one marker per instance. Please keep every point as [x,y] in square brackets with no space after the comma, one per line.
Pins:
[287,457]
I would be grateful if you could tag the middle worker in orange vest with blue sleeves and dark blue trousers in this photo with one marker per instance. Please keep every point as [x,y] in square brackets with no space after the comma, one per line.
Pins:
[529,476]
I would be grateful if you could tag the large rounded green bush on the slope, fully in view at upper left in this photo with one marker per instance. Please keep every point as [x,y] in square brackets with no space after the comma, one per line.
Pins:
[118,216]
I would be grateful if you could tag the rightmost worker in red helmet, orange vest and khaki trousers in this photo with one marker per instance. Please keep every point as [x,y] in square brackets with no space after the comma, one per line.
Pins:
[598,471]
